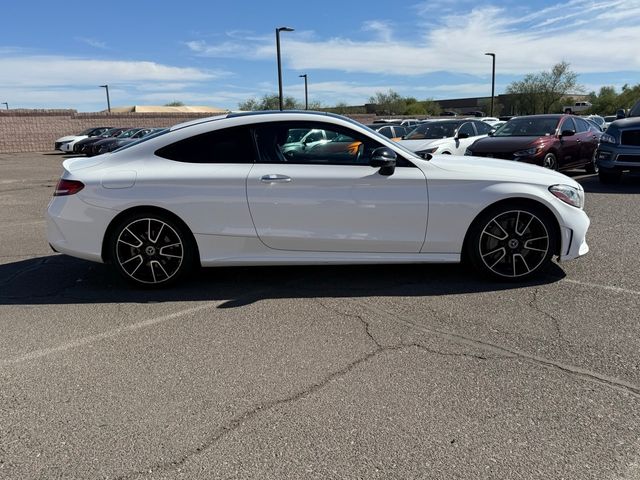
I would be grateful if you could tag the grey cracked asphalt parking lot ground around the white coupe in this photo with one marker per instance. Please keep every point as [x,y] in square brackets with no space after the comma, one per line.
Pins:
[317,372]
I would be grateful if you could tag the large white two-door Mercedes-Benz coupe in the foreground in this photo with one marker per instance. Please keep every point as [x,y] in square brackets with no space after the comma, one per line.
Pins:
[241,189]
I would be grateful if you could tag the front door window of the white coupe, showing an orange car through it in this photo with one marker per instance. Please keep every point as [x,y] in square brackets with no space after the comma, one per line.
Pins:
[342,146]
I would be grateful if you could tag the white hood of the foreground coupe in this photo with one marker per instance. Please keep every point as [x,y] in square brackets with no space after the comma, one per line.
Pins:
[482,168]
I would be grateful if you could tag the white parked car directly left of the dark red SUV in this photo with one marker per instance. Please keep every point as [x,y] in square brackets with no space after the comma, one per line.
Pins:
[448,137]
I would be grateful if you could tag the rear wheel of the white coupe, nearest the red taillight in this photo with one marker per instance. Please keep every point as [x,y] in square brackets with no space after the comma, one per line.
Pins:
[151,250]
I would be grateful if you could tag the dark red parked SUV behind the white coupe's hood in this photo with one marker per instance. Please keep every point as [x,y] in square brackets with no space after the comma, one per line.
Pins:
[559,142]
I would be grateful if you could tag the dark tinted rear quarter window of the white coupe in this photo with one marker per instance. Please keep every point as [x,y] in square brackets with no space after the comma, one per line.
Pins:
[229,145]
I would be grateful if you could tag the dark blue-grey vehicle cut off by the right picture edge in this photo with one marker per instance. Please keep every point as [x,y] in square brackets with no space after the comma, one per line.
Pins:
[619,149]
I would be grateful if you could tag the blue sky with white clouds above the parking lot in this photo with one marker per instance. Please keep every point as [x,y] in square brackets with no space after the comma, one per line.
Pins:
[55,54]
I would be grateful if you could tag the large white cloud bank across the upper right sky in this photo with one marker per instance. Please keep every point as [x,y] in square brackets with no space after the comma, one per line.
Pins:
[524,41]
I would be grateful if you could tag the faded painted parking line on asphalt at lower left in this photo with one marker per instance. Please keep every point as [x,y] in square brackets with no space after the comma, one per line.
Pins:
[37,354]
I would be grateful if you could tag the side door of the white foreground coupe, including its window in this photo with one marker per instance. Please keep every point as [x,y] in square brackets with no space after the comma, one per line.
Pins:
[329,199]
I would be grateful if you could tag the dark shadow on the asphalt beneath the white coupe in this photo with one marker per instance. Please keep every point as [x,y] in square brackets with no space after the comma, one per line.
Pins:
[59,279]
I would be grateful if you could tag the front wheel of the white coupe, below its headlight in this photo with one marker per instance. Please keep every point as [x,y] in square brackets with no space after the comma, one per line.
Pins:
[512,242]
